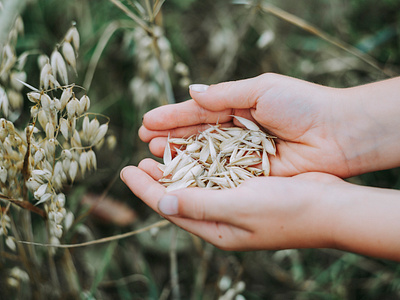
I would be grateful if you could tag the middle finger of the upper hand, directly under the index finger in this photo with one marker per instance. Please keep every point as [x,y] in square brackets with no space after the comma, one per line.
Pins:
[147,134]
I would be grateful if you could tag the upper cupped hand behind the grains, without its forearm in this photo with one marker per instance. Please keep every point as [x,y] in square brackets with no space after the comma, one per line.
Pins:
[304,117]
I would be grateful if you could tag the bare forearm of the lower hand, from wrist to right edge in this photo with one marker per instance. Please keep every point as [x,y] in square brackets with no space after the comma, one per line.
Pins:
[364,220]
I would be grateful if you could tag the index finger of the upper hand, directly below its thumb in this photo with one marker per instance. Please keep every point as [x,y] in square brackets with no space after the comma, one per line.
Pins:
[183,114]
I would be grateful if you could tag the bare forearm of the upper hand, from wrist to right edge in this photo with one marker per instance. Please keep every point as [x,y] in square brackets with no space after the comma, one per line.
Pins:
[369,126]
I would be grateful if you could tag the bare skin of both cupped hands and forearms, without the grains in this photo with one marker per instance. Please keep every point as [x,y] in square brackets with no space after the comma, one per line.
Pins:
[325,134]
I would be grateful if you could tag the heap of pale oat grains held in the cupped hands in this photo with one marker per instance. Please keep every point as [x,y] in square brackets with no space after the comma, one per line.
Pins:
[218,157]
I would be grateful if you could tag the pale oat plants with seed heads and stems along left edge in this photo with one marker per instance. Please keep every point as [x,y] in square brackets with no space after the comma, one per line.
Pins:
[52,151]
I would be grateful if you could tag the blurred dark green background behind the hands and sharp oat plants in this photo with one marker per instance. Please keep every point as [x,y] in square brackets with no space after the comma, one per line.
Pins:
[203,41]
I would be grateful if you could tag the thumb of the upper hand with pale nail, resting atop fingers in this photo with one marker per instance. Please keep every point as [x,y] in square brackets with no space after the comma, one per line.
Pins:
[241,94]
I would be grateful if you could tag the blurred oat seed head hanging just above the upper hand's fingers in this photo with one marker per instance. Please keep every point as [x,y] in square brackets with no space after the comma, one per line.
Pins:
[153,53]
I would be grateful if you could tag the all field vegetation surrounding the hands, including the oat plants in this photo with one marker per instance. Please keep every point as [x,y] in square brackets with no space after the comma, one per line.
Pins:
[135,55]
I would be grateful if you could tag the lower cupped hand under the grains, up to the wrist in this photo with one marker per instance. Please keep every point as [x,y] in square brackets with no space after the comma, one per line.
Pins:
[262,213]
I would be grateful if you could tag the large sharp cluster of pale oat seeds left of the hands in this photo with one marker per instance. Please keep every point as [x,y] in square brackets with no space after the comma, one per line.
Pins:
[64,147]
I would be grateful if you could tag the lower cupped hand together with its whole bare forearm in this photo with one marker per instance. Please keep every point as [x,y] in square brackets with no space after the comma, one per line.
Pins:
[309,210]
